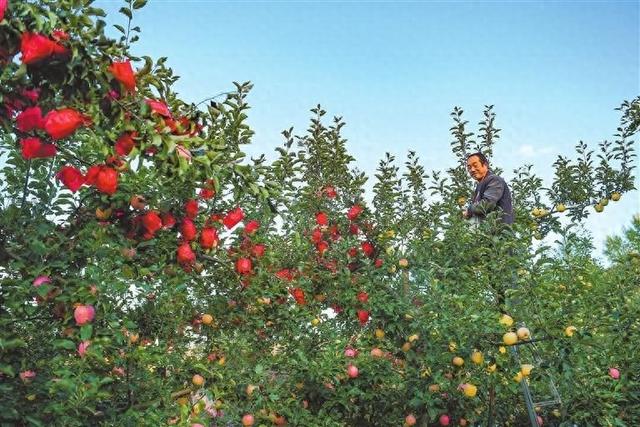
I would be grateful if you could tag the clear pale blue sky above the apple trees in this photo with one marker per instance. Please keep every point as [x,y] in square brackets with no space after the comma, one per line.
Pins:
[555,71]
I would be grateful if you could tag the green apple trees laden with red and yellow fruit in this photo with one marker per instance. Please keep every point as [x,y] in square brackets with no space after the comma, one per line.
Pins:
[152,275]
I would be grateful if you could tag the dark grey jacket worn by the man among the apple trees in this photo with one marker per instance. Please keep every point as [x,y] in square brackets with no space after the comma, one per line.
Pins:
[490,193]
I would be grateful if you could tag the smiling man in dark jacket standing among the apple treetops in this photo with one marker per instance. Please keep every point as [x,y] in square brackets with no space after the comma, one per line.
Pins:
[491,193]
